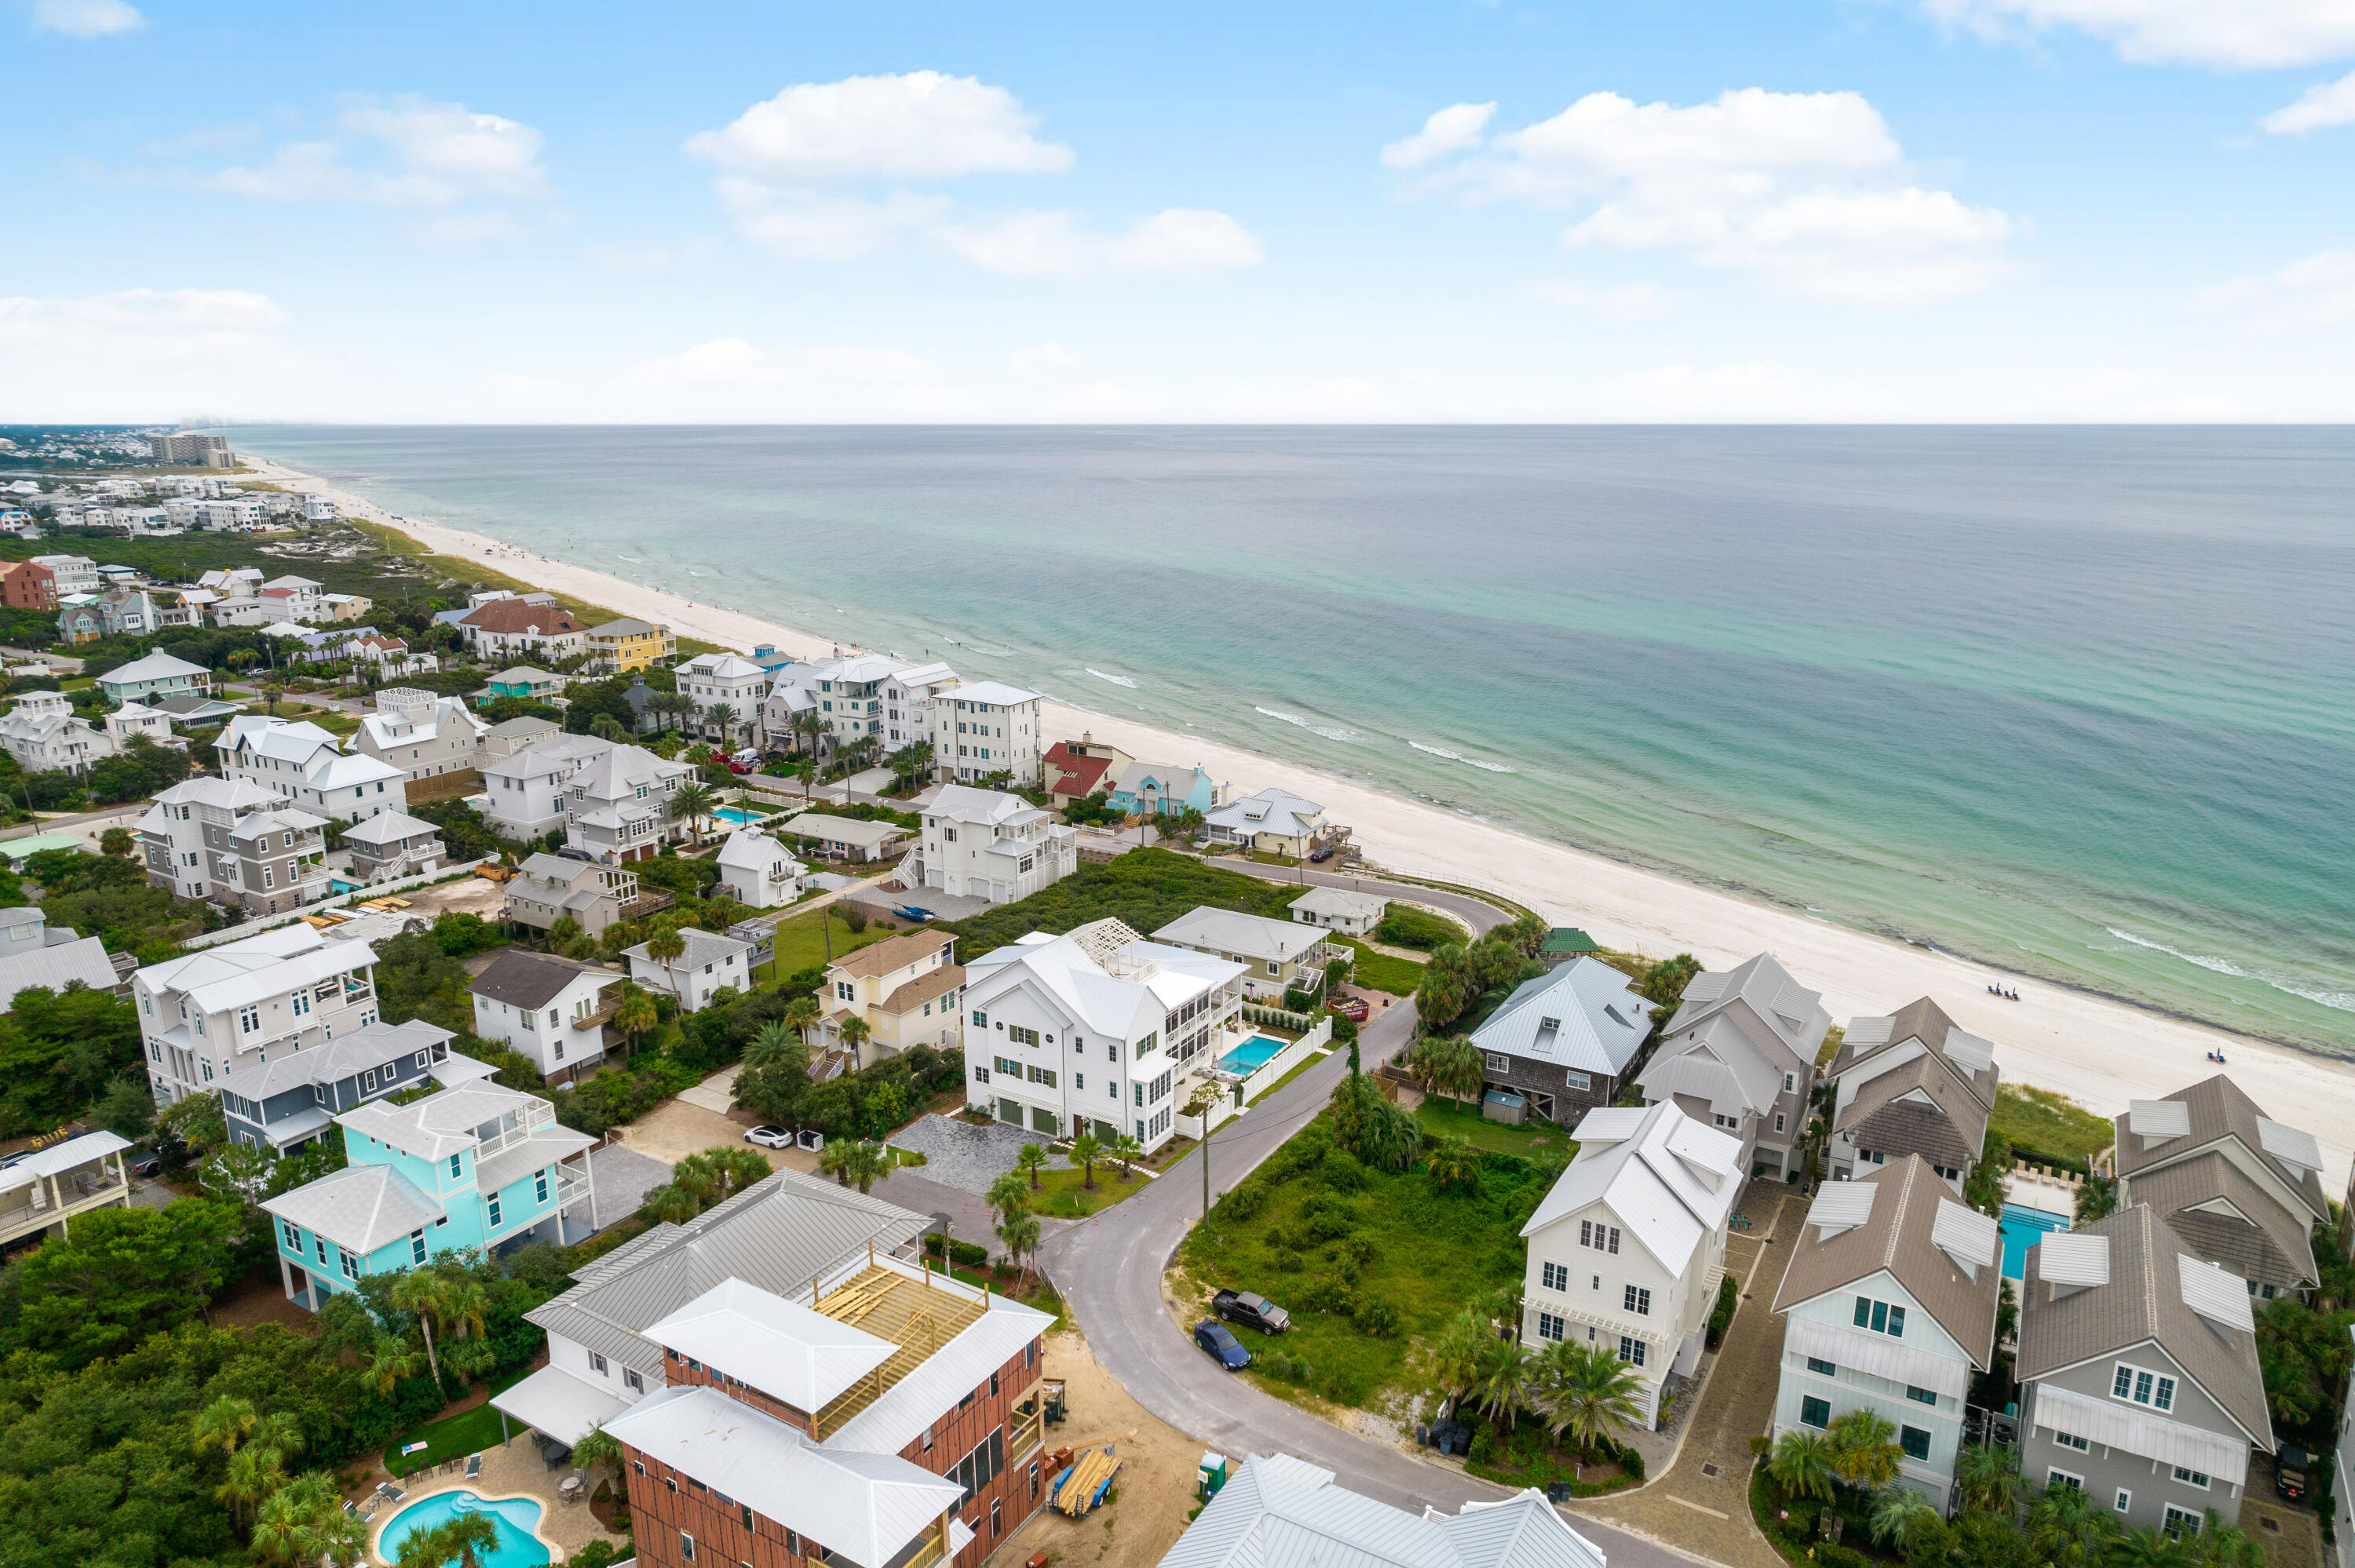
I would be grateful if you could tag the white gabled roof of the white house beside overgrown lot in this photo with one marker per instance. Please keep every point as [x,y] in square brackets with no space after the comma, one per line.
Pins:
[1661,1174]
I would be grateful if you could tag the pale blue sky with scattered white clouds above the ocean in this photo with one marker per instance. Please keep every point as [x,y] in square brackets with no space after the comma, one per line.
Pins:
[1619,211]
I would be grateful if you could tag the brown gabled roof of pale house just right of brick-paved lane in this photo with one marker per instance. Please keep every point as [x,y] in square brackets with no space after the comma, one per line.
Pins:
[1902,1218]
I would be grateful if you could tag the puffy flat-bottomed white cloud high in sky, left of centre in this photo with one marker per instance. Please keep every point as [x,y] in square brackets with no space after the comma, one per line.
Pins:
[917,126]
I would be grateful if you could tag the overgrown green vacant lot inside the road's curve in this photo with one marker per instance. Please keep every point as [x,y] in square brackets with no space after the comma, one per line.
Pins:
[1367,1261]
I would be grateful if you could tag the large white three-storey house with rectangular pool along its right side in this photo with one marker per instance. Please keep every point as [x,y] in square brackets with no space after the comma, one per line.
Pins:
[1092,1030]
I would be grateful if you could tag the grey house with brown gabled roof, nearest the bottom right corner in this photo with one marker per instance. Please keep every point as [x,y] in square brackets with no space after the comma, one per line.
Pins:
[2140,1376]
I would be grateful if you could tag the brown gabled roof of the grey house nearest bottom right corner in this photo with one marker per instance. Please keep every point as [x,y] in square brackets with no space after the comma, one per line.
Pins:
[2142,1301]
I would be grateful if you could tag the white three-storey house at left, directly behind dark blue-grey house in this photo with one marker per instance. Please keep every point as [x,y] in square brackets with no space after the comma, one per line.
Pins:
[227,1009]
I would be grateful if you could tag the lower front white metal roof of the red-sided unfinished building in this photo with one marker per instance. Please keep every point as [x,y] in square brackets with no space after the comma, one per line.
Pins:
[863,1506]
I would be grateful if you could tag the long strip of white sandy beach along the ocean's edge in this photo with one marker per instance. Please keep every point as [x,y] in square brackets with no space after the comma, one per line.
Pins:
[2088,1047]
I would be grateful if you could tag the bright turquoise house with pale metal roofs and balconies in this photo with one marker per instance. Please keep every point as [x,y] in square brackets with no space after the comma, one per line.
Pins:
[470,1167]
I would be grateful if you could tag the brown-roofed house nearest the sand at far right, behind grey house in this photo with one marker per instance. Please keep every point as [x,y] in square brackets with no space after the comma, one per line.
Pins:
[2238,1188]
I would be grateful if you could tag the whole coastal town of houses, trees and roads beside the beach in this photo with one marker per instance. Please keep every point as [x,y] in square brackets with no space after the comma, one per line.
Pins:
[609,1098]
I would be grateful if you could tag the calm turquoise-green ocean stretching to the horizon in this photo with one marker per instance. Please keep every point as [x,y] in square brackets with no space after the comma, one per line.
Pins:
[2069,700]
